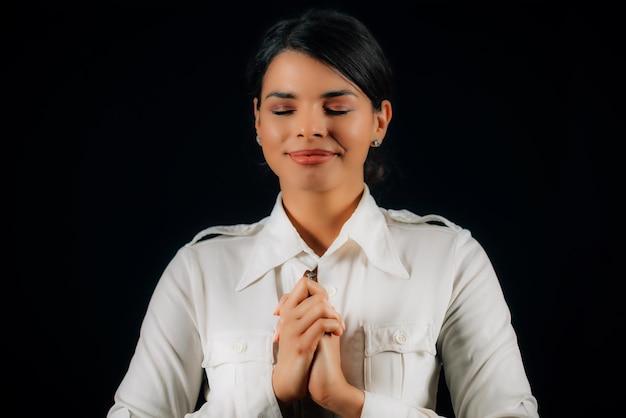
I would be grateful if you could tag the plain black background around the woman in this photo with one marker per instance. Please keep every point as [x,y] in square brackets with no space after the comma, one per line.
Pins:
[129,129]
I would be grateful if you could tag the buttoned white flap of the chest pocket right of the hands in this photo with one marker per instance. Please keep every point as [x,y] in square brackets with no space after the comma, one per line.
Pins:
[403,337]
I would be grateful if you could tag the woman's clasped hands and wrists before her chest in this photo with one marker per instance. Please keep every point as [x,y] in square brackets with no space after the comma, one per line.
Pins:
[309,359]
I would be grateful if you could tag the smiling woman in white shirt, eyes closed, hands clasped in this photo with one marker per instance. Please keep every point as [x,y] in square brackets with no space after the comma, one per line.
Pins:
[331,305]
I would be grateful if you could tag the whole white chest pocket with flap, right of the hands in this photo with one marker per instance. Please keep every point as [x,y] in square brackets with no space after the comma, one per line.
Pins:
[400,361]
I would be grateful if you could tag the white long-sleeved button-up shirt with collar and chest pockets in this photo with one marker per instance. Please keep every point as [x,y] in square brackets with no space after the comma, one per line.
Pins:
[416,293]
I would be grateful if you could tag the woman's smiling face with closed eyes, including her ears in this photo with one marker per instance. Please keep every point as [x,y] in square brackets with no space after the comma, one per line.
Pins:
[315,126]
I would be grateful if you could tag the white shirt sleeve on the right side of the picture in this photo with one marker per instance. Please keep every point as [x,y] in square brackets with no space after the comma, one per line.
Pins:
[478,345]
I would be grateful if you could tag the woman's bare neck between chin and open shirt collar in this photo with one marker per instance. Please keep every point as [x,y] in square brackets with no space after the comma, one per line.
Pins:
[319,216]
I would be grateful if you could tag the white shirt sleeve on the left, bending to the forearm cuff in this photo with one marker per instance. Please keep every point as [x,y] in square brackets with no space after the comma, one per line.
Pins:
[165,373]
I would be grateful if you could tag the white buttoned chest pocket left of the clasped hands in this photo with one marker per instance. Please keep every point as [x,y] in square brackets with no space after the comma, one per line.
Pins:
[234,358]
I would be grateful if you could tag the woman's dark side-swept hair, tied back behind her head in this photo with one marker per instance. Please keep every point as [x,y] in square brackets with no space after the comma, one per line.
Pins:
[342,42]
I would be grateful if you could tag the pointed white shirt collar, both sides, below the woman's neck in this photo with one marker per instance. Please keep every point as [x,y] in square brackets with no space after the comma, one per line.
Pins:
[279,241]
